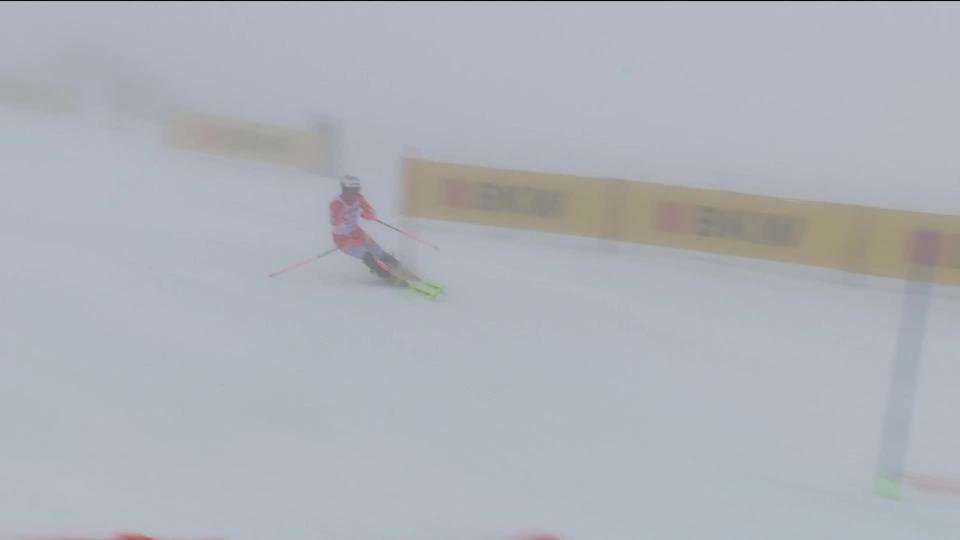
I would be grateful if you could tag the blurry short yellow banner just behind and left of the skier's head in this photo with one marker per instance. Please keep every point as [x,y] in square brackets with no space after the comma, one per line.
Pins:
[310,150]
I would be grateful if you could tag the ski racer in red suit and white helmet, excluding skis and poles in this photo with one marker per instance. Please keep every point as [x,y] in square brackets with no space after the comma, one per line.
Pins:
[345,213]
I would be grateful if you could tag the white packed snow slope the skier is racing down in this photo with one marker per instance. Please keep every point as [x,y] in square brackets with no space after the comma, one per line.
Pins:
[155,379]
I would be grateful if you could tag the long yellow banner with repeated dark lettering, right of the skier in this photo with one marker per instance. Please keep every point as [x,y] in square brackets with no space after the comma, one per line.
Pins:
[843,237]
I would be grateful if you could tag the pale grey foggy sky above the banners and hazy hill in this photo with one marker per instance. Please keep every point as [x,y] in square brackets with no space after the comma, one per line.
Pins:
[850,101]
